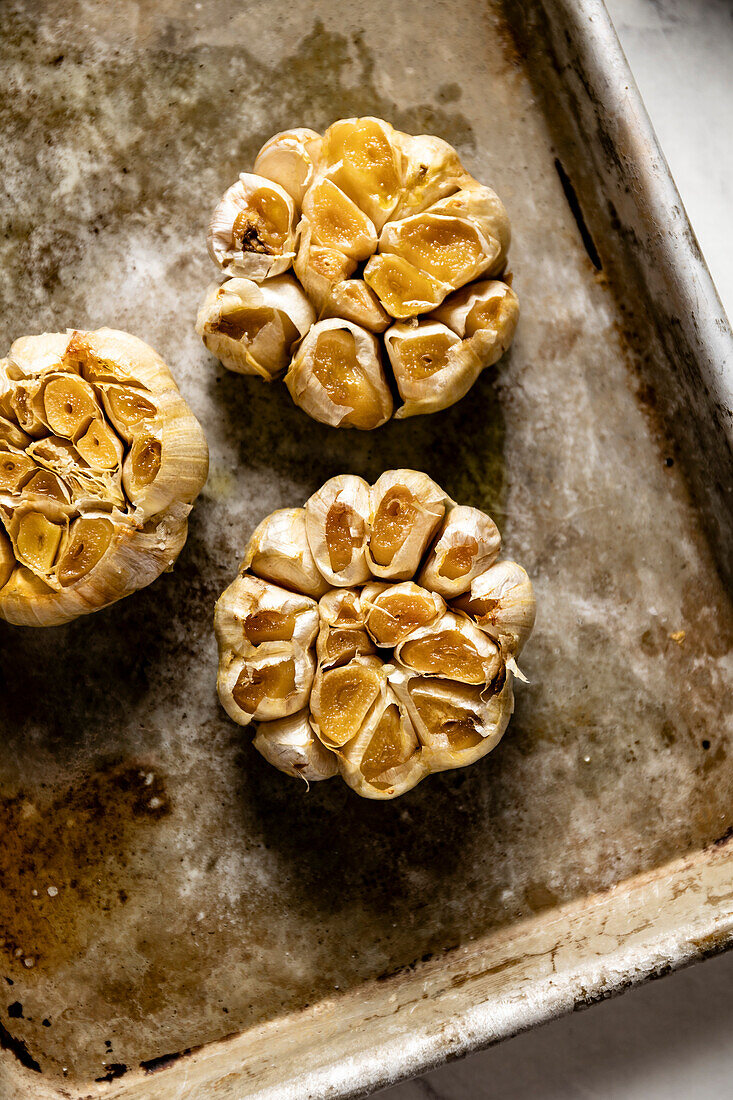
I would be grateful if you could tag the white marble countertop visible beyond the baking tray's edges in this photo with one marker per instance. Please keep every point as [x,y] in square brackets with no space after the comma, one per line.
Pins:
[669,1040]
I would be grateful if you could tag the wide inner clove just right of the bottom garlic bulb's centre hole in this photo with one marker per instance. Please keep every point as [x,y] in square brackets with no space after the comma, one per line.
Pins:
[454,648]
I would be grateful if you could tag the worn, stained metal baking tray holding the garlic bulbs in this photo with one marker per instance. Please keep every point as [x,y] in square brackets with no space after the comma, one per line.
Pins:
[177,918]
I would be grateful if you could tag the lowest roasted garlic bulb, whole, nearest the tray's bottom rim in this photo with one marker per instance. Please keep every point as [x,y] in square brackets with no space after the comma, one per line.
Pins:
[351,666]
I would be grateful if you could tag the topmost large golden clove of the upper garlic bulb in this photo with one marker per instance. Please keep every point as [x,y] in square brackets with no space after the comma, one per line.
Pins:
[365,159]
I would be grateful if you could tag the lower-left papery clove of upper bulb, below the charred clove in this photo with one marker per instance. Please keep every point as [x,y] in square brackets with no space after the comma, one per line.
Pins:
[251,327]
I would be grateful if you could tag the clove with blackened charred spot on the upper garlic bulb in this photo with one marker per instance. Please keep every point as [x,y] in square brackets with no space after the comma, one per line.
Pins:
[253,230]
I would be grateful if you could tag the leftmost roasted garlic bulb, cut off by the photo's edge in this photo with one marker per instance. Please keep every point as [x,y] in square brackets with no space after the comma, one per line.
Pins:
[101,460]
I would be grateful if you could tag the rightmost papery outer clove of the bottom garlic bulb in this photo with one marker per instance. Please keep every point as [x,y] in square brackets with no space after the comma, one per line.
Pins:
[502,603]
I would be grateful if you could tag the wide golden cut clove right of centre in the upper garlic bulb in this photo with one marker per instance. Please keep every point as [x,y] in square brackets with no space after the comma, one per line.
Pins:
[451,249]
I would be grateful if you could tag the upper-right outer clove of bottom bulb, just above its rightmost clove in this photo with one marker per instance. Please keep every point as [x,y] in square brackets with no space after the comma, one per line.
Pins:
[467,545]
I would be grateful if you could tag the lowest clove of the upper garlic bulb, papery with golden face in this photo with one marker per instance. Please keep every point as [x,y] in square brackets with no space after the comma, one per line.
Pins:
[337,377]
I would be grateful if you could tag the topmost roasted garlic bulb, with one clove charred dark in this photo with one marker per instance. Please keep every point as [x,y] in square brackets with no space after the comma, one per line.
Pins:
[340,239]
